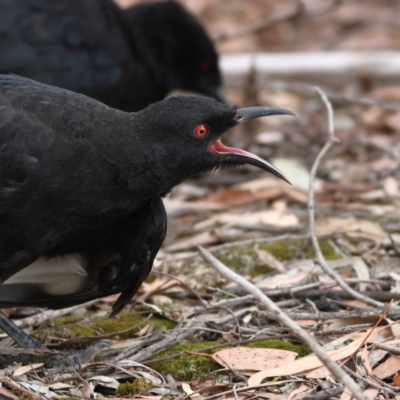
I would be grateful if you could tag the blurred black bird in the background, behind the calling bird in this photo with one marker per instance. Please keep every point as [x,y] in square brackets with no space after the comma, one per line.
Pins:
[126,59]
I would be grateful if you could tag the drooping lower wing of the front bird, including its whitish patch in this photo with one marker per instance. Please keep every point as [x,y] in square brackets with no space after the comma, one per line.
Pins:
[135,242]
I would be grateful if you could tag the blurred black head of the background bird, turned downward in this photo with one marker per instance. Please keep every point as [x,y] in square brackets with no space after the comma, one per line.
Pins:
[180,45]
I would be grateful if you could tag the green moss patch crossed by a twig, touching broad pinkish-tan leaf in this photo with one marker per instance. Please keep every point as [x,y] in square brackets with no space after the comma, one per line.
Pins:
[188,367]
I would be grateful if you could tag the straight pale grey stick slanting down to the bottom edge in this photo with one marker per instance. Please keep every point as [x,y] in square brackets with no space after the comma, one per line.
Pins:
[286,321]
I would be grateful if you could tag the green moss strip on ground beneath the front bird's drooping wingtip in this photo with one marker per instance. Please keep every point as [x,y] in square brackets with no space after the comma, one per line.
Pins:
[114,325]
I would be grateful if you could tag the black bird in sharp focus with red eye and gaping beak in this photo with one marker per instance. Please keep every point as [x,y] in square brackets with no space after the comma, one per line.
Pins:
[81,215]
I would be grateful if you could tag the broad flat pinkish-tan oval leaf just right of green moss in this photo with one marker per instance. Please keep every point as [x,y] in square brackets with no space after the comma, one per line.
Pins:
[246,358]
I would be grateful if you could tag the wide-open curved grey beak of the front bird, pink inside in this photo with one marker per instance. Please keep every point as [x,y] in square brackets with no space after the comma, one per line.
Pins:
[234,155]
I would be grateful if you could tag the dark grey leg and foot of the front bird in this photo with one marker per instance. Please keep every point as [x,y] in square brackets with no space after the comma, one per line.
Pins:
[51,361]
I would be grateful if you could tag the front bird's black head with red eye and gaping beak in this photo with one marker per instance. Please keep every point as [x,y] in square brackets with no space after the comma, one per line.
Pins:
[186,136]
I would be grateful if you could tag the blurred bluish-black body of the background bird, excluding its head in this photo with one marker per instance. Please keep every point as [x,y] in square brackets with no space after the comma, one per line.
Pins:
[77,45]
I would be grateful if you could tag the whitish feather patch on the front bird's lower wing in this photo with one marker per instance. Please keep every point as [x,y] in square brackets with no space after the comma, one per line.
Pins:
[59,275]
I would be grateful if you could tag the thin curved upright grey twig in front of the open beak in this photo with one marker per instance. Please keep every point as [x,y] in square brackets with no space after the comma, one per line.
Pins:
[321,260]
